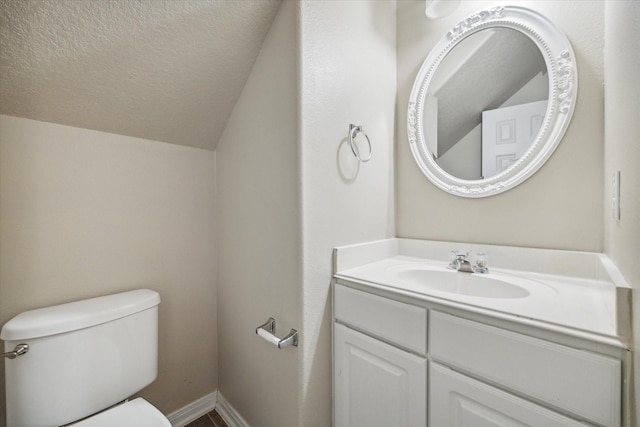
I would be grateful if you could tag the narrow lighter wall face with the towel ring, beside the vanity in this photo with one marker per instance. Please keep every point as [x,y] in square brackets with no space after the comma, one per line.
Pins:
[347,74]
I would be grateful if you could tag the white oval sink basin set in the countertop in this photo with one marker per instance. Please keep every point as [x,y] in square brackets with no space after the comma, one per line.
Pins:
[476,285]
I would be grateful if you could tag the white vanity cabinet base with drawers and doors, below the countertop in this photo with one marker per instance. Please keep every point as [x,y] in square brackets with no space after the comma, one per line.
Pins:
[397,363]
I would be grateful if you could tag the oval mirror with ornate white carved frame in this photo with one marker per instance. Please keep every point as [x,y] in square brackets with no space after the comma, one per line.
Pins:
[492,101]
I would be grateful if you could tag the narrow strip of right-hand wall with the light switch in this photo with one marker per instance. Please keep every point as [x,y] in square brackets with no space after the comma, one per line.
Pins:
[622,151]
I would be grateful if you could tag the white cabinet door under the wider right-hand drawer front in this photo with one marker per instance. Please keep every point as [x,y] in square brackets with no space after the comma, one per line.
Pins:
[460,401]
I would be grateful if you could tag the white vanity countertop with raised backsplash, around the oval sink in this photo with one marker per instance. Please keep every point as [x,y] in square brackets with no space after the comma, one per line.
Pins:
[580,304]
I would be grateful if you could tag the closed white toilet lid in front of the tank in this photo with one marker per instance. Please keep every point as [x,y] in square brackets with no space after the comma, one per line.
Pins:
[134,413]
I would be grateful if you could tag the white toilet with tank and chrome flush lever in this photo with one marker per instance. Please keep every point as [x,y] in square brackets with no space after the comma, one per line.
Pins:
[84,360]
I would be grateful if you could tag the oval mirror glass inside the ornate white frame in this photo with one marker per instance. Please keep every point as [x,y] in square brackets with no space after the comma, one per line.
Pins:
[491,69]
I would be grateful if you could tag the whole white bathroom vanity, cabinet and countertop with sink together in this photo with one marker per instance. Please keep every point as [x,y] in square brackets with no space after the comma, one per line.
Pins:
[539,340]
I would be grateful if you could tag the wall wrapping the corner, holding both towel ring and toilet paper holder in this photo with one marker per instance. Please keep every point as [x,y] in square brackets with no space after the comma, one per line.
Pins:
[290,190]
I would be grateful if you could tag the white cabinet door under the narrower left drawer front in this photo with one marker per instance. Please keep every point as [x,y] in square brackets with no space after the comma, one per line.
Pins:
[377,384]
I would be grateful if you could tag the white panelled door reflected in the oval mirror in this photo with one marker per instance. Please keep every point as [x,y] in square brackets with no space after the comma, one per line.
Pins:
[507,133]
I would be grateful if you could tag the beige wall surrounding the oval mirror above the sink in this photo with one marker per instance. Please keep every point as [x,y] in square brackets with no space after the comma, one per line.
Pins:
[561,205]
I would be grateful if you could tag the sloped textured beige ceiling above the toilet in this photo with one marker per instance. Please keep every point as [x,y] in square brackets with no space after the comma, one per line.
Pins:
[165,70]
